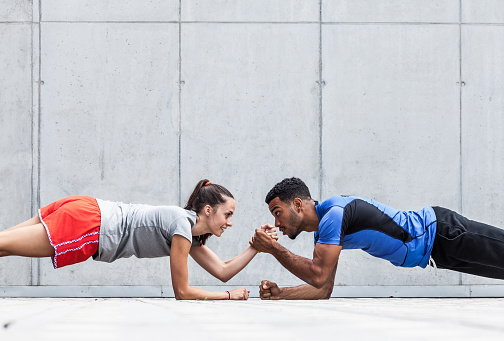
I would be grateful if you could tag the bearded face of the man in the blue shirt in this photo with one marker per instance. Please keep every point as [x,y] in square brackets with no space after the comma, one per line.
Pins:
[287,219]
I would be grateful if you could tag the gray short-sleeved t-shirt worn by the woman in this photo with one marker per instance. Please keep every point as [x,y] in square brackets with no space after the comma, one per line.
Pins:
[143,231]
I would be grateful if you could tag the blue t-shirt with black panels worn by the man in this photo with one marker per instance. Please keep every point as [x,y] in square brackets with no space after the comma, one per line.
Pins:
[405,238]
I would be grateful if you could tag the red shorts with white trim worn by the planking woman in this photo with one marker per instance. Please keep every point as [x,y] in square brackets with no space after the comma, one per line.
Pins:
[73,227]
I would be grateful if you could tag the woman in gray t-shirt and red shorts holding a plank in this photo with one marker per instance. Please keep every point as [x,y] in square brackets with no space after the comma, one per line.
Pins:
[75,228]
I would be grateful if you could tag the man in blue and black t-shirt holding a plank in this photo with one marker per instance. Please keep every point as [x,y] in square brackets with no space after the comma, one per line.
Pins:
[405,238]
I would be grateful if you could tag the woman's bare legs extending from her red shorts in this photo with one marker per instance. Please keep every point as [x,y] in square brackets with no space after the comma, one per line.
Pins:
[27,241]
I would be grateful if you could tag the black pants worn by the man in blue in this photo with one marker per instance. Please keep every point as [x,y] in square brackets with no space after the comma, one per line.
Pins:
[468,246]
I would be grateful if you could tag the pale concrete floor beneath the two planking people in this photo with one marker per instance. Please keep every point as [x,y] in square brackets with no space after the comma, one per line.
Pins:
[153,319]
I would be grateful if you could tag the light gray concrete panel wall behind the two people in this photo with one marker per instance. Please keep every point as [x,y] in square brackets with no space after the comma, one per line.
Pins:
[135,101]
